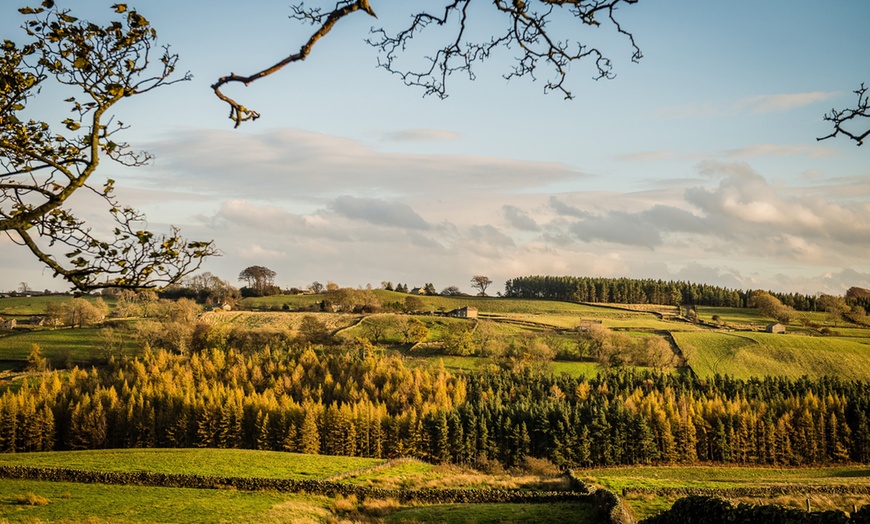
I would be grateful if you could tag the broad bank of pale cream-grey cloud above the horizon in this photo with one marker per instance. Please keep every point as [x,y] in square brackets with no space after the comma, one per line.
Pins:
[315,207]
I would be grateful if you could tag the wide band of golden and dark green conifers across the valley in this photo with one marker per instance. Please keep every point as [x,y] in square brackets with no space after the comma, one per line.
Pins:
[322,400]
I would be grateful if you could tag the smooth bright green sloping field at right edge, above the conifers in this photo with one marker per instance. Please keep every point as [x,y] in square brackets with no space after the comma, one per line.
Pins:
[751,354]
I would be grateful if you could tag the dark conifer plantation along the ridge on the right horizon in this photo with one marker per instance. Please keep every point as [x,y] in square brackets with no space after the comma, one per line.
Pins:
[641,291]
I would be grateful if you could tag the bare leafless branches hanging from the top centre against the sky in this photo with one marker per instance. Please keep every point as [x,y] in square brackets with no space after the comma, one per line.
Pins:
[530,28]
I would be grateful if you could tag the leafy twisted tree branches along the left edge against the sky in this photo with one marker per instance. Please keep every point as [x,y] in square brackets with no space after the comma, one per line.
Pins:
[40,169]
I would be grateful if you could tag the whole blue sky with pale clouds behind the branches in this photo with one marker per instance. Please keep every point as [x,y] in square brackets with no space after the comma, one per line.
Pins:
[699,163]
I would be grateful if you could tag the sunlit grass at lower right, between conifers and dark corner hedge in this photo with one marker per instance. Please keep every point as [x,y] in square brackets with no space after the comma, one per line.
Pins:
[616,479]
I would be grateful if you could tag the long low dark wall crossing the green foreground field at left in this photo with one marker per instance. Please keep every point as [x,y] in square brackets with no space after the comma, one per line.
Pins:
[317,487]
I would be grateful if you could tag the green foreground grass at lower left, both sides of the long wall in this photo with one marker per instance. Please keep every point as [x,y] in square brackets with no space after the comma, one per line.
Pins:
[43,501]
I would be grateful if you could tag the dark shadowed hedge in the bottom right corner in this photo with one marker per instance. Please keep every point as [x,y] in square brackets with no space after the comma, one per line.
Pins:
[712,510]
